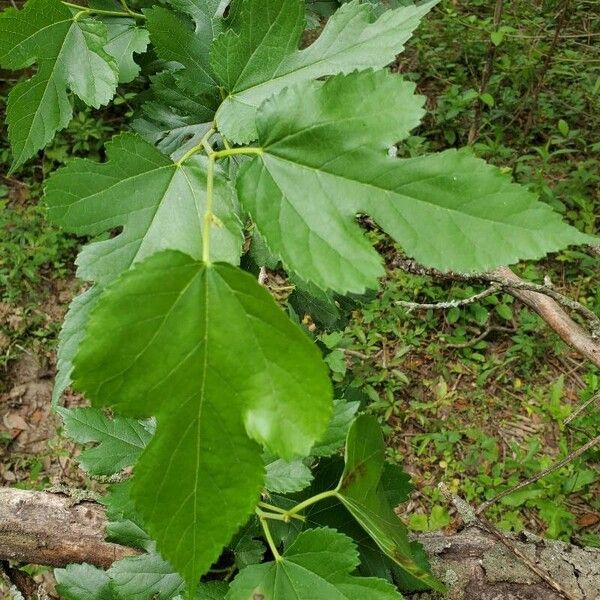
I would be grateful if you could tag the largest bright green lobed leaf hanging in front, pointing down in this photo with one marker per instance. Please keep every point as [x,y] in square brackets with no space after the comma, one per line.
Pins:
[208,351]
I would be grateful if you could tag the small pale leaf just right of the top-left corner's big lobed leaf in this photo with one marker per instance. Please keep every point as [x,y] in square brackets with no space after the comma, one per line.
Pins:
[124,40]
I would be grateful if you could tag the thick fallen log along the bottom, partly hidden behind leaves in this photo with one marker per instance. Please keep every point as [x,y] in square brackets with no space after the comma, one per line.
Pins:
[45,528]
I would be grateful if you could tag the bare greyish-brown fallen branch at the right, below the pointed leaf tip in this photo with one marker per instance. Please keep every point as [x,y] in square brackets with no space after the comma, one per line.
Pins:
[542,299]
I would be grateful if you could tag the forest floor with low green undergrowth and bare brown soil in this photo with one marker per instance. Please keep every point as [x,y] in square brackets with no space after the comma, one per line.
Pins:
[475,397]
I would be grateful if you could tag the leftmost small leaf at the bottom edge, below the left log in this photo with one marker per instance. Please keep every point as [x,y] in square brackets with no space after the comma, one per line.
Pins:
[83,582]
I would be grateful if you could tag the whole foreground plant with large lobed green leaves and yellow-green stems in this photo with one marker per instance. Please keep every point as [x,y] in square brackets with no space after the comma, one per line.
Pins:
[221,403]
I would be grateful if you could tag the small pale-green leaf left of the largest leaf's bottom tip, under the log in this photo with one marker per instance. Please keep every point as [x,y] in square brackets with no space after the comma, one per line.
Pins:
[145,577]
